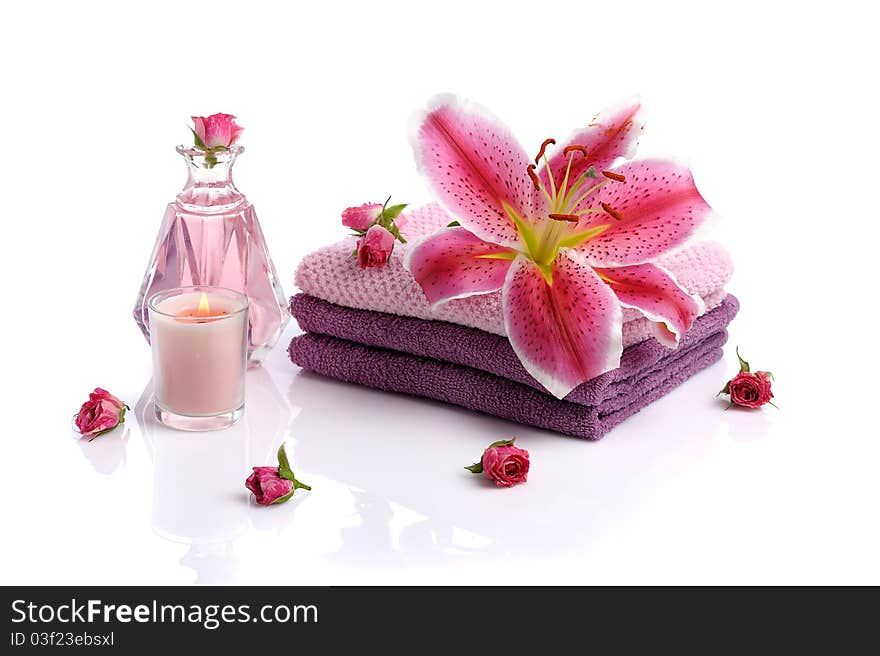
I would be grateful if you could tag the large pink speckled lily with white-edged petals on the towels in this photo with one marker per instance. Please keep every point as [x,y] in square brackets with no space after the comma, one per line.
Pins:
[569,243]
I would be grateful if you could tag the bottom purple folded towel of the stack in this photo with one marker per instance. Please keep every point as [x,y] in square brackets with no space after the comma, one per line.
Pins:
[484,392]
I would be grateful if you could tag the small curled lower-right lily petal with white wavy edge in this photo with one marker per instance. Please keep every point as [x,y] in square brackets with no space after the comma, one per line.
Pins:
[653,291]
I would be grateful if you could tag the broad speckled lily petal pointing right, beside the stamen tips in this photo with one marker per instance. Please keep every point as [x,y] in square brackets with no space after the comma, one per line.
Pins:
[658,208]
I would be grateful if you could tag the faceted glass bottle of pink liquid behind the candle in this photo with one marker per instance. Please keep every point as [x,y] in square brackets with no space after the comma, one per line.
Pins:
[210,236]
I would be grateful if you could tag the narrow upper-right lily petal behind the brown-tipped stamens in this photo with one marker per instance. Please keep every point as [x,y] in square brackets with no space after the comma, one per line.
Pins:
[613,133]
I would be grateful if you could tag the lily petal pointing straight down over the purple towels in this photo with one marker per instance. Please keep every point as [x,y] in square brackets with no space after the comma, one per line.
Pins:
[566,330]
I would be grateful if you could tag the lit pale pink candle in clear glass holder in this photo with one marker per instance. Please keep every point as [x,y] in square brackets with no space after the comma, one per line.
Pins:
[199,339]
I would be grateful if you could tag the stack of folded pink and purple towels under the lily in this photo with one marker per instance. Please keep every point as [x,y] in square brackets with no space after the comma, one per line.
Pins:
[375,327]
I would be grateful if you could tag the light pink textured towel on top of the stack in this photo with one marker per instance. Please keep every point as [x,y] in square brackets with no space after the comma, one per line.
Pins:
[332,274]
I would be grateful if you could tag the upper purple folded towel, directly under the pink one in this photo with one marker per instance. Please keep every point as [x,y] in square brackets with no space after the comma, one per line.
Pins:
[477,349]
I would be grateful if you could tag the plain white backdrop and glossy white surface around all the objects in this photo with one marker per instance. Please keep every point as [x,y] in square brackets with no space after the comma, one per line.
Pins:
[773,104]
